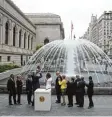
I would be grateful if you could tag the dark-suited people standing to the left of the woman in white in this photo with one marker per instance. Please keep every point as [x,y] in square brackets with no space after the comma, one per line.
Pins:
[15,88]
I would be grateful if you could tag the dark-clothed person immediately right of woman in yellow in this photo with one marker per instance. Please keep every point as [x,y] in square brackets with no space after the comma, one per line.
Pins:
[70,92]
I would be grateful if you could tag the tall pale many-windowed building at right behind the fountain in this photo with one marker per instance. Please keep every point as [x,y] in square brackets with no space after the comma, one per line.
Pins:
[100,32]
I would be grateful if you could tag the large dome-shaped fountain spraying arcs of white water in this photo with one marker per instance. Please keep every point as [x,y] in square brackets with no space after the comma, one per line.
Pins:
[72,57]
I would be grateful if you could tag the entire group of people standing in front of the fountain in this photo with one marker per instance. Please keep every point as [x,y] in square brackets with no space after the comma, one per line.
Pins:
[63,85]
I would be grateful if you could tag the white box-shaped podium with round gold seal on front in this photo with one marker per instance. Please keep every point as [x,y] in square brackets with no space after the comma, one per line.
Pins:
[42,100]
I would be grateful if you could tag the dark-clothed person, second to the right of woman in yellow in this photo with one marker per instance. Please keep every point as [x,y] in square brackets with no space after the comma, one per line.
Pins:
[77,90]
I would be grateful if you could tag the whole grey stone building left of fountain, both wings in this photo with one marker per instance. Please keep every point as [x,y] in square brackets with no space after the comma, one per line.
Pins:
[19,35]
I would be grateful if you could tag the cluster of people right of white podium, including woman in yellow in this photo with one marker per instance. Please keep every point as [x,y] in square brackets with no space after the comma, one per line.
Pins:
[73,86]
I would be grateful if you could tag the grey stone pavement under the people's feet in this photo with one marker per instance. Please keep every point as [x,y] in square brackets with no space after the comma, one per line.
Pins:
[103,107]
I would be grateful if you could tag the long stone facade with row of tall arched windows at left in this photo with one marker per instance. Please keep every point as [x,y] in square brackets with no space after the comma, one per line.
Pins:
[16,31]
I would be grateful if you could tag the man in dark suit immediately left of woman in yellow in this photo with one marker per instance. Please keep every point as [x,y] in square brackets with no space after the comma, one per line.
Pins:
[57,87]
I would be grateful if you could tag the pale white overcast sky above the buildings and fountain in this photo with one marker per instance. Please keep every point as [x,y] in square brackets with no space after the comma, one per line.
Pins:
[77,11]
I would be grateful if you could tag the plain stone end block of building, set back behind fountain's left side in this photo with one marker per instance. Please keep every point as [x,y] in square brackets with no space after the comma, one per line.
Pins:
[48,27]
